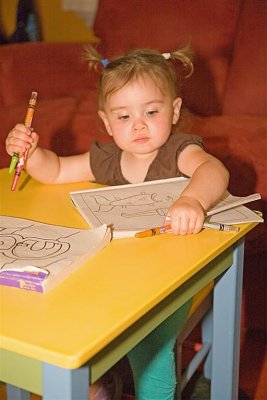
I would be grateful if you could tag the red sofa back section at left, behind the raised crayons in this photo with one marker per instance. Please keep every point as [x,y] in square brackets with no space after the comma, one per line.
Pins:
[51,69]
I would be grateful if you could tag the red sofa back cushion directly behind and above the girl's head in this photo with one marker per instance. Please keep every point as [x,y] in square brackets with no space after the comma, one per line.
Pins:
[122,25]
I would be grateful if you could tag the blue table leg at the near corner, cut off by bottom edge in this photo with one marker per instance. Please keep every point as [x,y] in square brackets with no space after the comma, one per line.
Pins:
[60,383]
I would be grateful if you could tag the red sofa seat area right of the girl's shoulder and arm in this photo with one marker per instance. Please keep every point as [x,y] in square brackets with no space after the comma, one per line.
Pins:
[238,142]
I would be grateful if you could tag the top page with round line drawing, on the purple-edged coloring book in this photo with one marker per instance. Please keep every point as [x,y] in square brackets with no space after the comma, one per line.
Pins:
[29,243]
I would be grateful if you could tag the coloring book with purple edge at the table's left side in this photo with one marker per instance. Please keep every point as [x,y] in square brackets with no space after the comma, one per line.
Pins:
[36,256]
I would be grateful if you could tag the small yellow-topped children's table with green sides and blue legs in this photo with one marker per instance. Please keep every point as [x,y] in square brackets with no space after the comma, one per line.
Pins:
[88,322]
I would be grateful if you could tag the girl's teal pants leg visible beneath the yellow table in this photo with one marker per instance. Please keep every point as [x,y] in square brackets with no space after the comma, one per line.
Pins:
[153,360]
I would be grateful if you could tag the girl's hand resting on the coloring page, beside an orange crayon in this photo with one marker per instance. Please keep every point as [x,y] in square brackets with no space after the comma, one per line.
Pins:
[185,216]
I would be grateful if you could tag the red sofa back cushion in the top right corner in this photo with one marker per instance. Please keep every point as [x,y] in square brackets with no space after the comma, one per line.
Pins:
[246,87]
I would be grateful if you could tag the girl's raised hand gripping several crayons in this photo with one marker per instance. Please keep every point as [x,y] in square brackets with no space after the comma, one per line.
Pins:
[21,138]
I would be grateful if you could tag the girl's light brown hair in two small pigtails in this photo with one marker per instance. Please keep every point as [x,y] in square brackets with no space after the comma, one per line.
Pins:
[138,64]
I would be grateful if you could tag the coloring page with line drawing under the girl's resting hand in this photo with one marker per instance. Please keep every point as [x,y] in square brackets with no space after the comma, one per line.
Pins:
[129,207]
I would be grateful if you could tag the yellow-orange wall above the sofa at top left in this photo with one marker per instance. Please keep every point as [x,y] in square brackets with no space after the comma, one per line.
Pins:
[56,25]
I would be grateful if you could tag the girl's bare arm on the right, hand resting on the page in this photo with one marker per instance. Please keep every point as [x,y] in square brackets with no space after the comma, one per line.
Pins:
[209,180]
